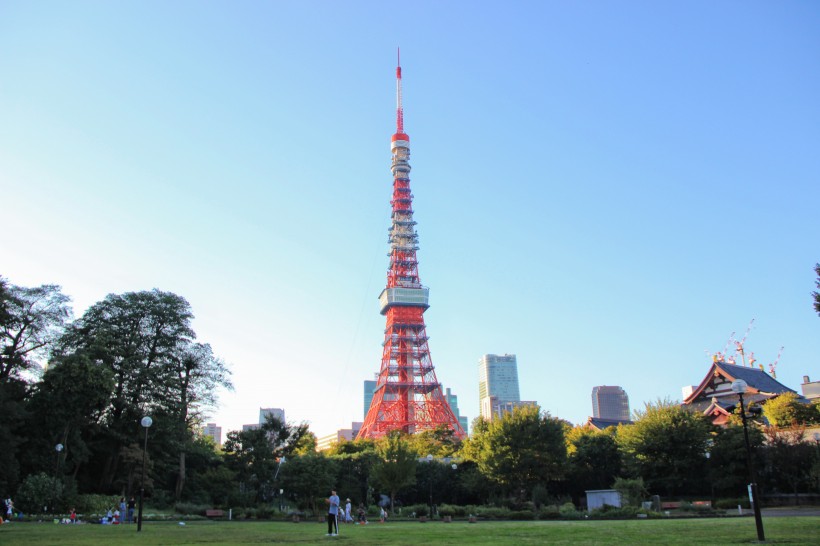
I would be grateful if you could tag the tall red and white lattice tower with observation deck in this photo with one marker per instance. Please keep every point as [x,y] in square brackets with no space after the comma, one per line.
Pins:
[408,396]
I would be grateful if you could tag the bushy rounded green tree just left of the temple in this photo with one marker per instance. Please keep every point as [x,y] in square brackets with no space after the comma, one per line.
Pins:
[666,446]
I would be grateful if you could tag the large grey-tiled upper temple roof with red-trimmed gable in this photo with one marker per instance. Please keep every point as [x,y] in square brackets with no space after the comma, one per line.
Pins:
[716,387]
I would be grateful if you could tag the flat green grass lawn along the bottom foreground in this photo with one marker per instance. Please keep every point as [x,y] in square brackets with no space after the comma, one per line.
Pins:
[780,530]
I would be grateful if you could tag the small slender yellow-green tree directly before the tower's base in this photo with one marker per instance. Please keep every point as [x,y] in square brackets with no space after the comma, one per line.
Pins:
[395,468]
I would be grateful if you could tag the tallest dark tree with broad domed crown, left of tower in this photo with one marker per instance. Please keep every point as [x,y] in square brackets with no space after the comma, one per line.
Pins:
[146,341]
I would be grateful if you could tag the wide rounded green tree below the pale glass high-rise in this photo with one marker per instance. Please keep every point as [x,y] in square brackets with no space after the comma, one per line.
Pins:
[520,450]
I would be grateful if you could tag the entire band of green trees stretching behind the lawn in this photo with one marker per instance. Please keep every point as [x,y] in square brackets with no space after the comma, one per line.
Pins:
[84,384]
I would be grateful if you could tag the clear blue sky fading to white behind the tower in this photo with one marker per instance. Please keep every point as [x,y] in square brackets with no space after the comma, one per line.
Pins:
[606,189]
